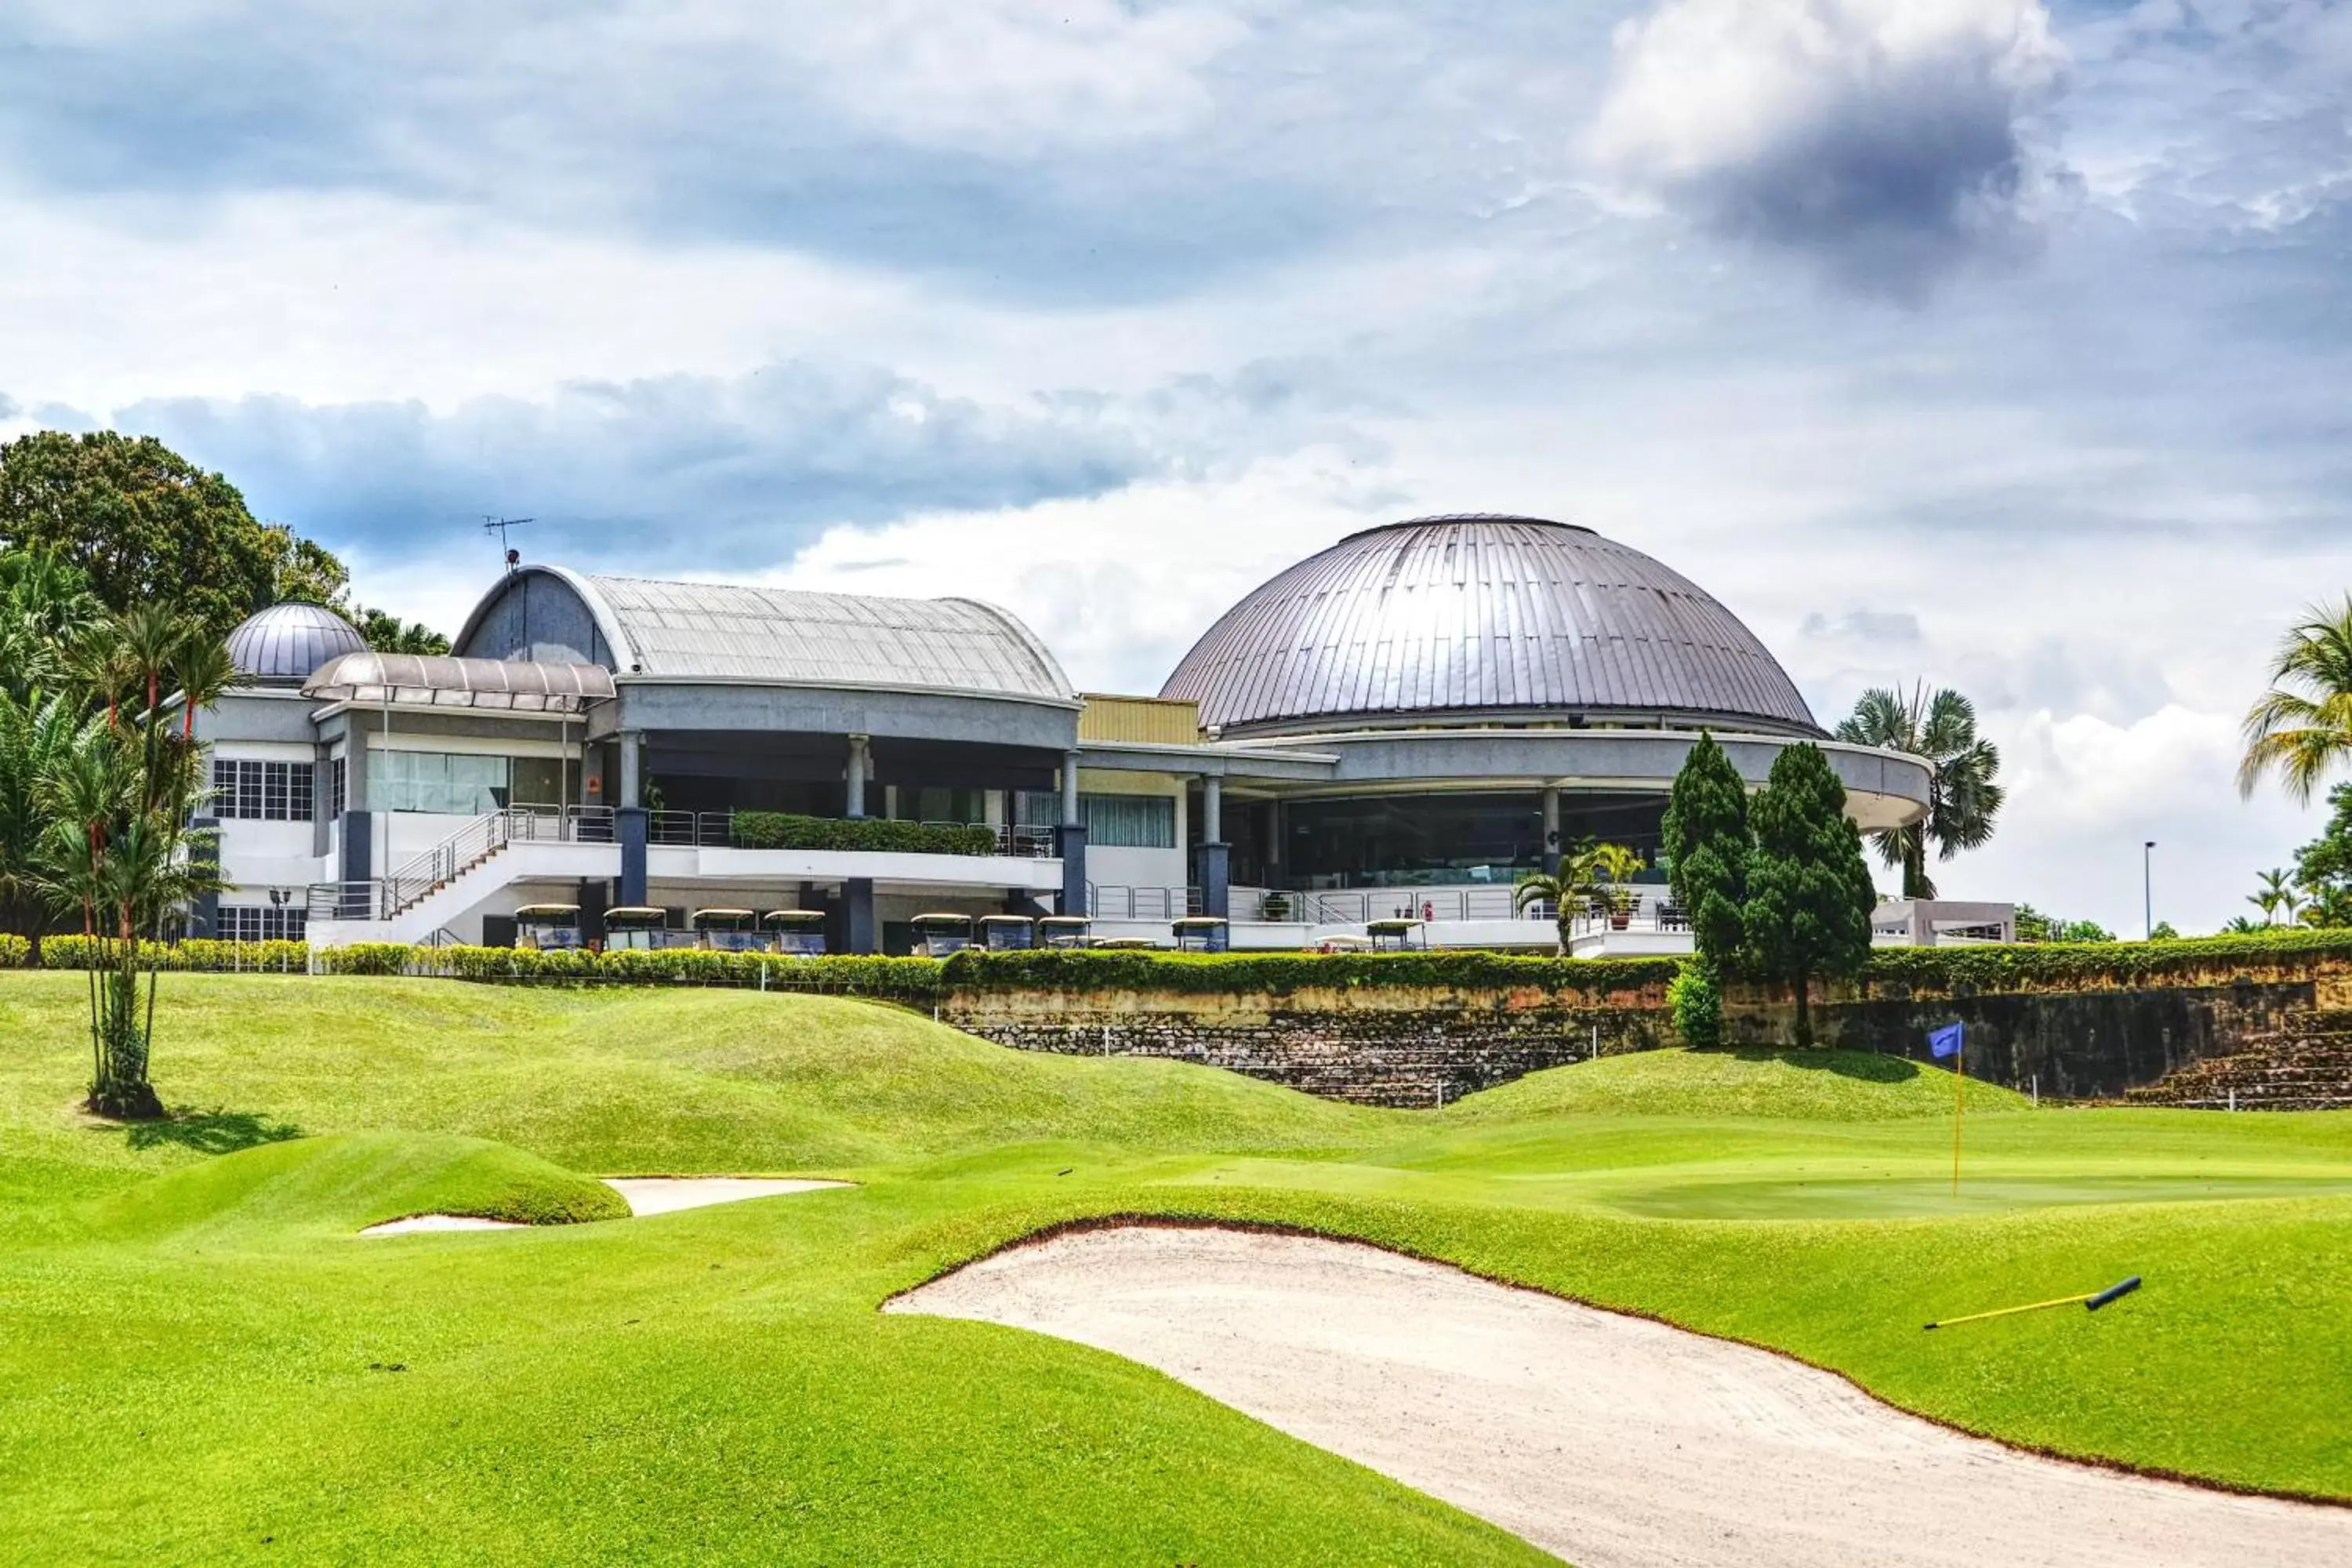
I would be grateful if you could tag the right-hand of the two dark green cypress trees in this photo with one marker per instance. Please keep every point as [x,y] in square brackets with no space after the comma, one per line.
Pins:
[1810,890]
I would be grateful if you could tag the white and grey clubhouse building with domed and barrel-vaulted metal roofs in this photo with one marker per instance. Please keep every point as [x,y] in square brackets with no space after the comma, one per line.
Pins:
[1396,728]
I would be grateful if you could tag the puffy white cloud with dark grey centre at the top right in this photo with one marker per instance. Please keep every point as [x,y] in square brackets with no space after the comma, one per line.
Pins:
[1880,133]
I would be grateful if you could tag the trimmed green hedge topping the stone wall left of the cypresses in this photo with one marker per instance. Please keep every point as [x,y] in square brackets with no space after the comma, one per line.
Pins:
[1288,972]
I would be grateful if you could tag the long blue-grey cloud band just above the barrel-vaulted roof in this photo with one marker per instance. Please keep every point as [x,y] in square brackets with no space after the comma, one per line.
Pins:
[709,471]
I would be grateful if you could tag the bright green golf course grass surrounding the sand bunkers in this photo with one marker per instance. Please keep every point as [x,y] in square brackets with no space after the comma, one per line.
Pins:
[203,1362]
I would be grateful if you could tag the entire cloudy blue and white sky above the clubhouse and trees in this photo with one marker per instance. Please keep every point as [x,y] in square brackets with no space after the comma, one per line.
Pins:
[1960,340]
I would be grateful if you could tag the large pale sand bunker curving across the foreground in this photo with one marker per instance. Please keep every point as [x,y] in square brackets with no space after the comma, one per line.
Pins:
[1608,1440]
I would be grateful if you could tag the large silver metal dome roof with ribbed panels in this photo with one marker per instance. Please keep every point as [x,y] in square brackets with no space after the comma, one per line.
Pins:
[1452,619]
